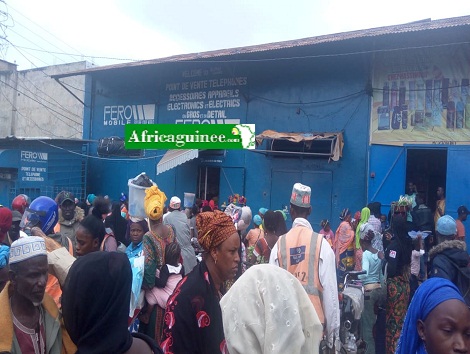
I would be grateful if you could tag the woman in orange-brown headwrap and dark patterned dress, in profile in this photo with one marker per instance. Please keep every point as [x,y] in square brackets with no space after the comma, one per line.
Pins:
[193,319]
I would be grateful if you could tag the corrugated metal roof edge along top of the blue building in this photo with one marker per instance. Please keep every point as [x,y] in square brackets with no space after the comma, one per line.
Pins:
[423,25]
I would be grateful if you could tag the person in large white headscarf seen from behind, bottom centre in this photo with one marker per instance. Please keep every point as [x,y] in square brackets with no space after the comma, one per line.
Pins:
[268,311]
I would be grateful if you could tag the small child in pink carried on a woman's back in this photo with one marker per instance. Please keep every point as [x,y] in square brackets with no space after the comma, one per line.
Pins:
[167,278]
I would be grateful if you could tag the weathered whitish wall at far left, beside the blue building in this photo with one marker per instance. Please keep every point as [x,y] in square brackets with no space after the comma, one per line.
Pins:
[43,107]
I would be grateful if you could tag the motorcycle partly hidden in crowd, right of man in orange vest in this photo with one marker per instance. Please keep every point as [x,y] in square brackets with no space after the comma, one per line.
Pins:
[351,301]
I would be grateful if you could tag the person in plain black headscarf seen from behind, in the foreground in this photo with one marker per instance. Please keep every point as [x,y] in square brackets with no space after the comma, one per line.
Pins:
[95,306]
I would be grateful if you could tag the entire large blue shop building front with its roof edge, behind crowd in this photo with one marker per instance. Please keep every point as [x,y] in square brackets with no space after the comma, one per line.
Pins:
[318,85]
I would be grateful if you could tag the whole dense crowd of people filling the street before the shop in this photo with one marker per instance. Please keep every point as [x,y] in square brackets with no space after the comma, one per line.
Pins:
[92,278]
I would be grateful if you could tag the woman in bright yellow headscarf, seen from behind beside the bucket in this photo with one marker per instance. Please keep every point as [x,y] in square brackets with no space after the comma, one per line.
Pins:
[154,243]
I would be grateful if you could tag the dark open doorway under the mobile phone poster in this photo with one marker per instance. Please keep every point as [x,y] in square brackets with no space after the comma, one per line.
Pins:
[427,169]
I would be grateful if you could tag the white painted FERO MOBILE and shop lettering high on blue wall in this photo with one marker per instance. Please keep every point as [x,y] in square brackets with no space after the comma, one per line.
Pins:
[210,94]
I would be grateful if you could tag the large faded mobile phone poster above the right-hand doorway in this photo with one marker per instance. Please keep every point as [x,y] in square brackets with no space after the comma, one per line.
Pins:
[421,96]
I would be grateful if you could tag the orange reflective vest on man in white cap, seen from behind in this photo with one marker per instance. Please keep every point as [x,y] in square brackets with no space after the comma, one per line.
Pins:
[299,254]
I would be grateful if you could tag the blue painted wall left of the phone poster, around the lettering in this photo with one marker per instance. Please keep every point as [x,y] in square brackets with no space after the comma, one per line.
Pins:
[304,95]
